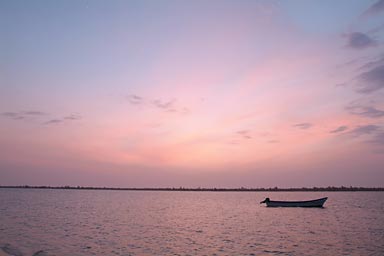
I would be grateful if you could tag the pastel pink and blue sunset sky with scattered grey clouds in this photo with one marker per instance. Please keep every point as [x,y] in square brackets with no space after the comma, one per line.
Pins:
[192,93]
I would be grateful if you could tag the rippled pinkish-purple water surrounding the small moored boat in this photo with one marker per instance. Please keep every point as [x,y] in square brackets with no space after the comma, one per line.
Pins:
[80,222]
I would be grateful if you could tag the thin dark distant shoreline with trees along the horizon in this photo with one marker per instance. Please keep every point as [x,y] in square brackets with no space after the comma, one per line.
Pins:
[242,189]
